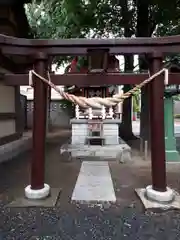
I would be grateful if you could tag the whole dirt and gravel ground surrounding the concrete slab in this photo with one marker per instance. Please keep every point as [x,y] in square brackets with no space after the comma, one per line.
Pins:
[124,220]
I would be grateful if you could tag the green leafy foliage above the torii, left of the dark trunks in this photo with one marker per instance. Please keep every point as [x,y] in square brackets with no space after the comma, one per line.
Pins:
[65,19]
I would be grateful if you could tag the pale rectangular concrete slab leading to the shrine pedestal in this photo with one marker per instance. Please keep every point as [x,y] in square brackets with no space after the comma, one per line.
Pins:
[94,183]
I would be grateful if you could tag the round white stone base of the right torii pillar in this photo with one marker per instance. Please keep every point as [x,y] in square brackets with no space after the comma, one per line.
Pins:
[161,197]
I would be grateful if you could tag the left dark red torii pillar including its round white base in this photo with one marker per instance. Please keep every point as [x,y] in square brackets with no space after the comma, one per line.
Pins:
[38,189]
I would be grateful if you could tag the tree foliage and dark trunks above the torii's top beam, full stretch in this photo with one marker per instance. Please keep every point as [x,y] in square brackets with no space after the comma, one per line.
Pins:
[103,18]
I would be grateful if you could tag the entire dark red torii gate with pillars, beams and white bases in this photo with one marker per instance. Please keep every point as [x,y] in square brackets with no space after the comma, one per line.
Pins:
[40,50]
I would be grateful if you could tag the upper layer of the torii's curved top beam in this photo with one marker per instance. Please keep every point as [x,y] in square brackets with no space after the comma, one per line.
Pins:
[91,43]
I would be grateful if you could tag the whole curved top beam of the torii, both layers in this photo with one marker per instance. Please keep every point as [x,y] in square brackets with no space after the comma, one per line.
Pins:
[71,47]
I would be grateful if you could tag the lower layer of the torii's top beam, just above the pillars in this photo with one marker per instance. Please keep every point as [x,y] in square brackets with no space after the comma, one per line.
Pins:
[68,51]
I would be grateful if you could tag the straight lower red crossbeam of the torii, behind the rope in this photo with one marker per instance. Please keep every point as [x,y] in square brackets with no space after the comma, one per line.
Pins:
[84,80]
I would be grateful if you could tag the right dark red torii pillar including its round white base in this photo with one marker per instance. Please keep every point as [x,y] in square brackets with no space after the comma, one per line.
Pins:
[158,191]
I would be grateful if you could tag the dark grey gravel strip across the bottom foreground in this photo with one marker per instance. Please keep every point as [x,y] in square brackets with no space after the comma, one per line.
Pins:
[88,223]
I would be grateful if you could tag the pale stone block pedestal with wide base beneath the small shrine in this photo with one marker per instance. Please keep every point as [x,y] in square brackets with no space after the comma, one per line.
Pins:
[113,147]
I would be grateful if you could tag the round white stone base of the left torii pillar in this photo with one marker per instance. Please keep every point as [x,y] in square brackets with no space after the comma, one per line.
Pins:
[38,193]
